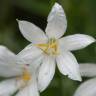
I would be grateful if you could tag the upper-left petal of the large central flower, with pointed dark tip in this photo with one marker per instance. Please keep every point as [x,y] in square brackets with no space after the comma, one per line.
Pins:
[31,32]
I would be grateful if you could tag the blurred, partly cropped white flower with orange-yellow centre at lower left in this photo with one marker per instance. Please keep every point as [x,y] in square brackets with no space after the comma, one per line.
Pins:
[21,77]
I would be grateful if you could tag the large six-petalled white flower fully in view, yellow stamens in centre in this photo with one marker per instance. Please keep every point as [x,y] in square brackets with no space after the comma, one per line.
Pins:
[55,49]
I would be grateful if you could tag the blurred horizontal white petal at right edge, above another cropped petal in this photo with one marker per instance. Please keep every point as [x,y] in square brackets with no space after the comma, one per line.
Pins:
[88,70]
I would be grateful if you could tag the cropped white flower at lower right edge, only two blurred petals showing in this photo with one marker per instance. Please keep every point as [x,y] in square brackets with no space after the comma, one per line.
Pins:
[88,88]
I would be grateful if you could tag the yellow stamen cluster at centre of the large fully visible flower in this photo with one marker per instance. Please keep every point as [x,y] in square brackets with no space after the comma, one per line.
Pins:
[51,48]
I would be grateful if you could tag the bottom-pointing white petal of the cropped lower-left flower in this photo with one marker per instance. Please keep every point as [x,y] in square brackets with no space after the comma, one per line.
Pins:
[30,90]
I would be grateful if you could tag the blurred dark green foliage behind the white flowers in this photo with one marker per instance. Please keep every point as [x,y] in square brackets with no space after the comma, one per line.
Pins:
[81,16]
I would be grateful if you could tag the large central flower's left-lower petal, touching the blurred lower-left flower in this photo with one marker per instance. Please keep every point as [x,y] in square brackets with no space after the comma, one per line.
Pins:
[30,55]
